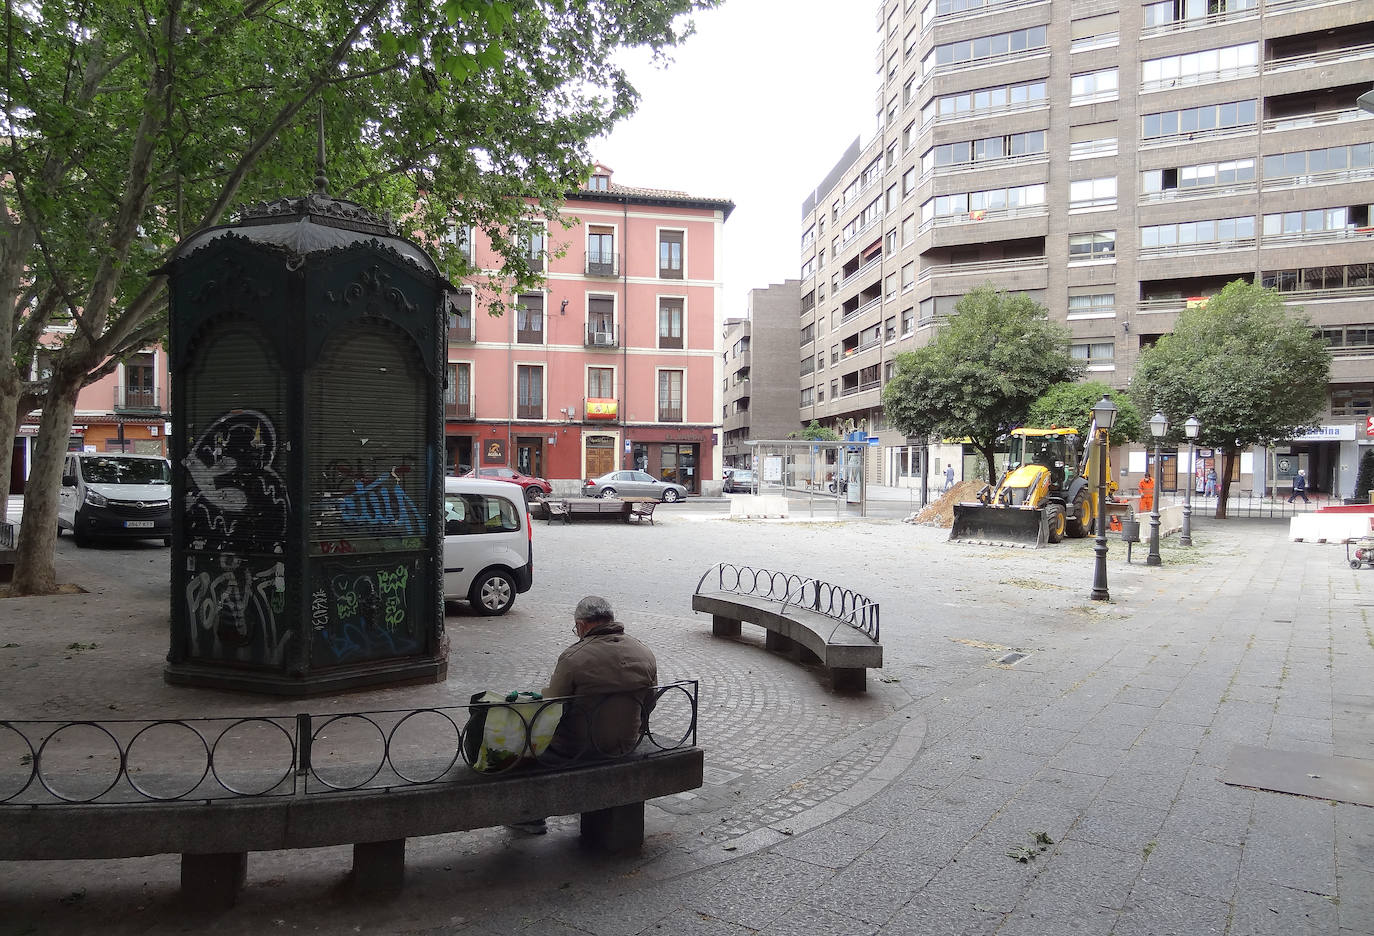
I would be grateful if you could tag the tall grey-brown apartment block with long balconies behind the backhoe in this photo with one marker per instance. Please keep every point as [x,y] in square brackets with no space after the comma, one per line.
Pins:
[1118,161]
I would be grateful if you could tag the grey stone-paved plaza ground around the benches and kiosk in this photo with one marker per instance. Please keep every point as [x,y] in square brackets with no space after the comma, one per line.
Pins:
[912,809]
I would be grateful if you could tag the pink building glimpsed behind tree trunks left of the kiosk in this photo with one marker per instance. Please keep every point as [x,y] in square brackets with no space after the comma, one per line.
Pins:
[124,412]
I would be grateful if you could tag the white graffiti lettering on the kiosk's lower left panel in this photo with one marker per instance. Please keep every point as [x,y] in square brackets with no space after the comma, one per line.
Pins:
[236,611]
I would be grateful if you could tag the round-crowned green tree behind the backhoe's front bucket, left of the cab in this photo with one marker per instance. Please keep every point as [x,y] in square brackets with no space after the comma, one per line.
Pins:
[991,361]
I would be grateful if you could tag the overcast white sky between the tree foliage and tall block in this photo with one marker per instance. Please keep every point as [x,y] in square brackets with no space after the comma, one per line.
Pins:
[756,108]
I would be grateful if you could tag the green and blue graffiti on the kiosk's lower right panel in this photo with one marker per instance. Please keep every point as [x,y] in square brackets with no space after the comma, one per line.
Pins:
[365,615]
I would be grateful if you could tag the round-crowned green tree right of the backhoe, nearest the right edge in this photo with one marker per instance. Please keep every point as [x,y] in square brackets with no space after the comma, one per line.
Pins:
[1248,368]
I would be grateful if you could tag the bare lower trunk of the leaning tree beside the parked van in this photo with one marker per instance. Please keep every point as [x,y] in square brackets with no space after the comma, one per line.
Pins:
[35,571]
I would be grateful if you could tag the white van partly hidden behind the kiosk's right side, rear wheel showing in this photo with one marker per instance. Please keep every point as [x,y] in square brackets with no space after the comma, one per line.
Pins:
[488,545]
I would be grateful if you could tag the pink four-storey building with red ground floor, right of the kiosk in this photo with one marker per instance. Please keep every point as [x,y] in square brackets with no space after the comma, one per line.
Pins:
[613,364]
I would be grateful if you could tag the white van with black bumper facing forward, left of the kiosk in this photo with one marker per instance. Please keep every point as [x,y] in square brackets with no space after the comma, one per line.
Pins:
[115,495]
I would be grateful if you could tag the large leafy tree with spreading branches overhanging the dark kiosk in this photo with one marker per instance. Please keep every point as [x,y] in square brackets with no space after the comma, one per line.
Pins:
[128,126]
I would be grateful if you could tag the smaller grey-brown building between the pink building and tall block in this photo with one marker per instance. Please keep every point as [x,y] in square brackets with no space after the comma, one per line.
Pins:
[761,359]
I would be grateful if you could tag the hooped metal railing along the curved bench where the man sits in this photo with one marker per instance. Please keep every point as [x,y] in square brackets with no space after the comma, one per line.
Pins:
[208,759]
